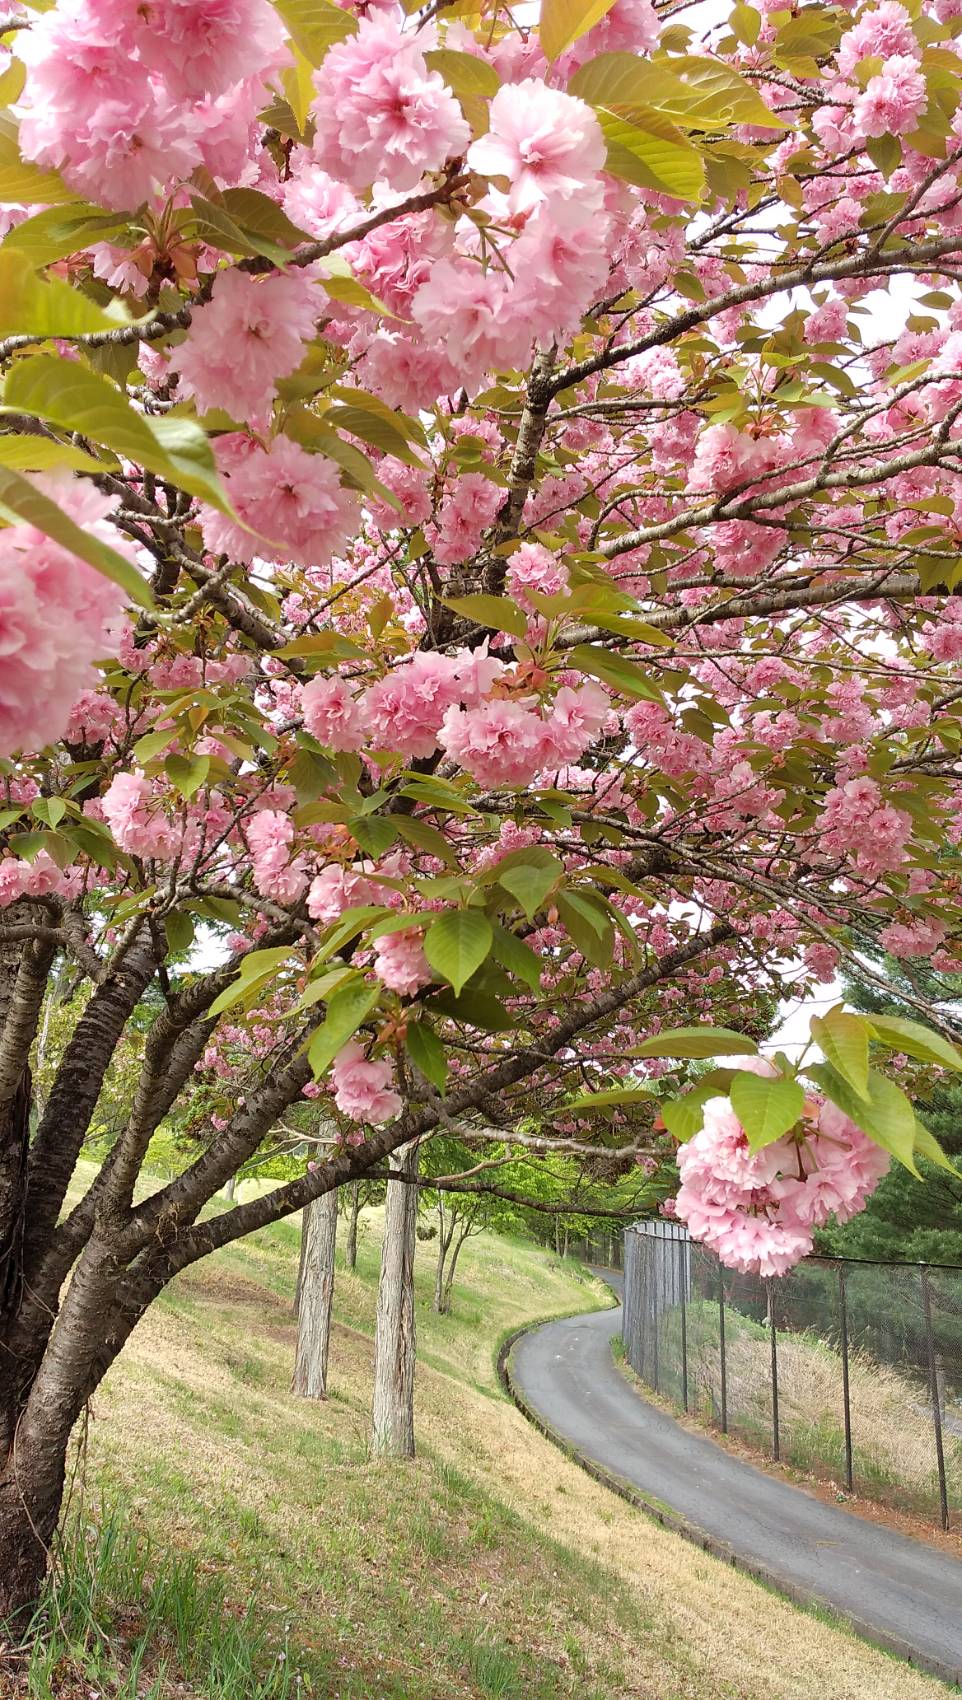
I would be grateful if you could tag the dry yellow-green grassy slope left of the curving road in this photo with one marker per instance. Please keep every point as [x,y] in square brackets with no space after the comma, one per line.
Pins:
[489,1568]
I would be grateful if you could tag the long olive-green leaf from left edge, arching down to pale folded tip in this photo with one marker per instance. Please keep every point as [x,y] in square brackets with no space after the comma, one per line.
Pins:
[76,399]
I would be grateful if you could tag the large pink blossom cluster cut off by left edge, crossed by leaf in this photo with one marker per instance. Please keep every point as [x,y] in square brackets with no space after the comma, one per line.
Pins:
[57,618]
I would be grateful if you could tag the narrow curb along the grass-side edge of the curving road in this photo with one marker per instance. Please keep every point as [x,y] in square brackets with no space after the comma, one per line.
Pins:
[699,1538]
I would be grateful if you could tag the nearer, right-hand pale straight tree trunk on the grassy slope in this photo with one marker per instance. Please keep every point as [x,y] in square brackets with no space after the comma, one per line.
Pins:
[395,1332]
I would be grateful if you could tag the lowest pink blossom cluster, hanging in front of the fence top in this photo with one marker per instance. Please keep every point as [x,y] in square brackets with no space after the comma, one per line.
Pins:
[759,1211]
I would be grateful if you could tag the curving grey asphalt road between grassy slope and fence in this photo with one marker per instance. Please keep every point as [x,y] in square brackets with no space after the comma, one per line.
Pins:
[898,1592]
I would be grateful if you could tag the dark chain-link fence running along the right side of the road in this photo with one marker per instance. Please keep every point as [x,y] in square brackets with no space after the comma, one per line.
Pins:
[844,1369]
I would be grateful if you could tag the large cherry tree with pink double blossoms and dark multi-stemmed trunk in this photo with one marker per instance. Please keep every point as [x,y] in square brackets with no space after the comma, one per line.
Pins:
[478,621]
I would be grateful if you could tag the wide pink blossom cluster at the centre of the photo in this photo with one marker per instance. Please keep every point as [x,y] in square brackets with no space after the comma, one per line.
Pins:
[451,703]
